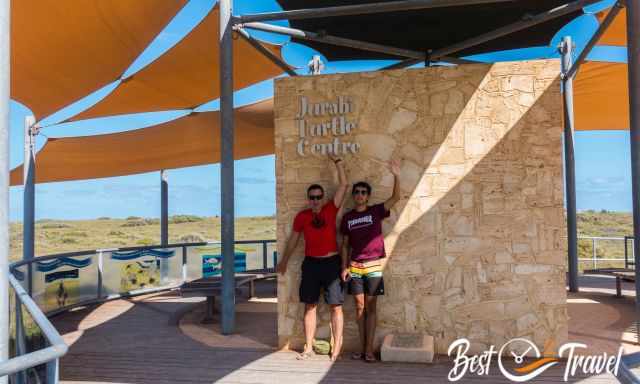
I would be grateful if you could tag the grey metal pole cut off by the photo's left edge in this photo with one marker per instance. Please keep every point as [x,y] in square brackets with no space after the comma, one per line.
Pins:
[5,65]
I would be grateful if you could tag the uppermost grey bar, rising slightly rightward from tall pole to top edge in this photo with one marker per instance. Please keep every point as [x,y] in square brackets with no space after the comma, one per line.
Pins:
[361,9]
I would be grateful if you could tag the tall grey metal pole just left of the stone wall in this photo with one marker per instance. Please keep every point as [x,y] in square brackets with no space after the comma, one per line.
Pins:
[226,167]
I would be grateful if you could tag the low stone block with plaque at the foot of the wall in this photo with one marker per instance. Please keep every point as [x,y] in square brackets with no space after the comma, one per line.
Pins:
[407,348]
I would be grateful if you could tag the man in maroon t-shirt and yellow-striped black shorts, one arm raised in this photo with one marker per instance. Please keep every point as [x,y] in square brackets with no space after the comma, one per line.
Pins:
[362,249]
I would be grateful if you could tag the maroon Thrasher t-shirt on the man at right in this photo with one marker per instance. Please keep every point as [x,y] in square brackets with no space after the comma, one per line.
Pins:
[365,232]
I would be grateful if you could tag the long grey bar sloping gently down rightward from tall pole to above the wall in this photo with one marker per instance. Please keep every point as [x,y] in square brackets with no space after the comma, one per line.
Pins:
[334,40]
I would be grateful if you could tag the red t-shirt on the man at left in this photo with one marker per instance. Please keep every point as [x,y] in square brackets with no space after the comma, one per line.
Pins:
[321,241]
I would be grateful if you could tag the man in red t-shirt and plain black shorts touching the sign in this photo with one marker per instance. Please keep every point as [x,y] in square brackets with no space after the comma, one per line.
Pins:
[322,264]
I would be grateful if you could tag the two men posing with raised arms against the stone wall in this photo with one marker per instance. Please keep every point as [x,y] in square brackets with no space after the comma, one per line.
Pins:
[359,262]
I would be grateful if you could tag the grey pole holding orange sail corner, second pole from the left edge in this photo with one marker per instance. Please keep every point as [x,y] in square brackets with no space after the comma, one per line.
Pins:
[29,193]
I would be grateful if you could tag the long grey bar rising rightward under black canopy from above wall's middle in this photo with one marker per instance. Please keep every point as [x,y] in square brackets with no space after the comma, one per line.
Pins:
[511,28]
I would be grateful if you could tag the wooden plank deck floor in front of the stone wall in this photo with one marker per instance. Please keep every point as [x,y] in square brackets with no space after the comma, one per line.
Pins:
[138,341]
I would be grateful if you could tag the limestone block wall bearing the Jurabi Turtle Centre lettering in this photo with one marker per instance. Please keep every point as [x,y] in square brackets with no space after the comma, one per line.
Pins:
[476,245]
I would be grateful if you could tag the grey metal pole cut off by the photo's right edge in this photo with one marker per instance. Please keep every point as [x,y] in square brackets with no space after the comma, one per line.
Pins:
[633,53]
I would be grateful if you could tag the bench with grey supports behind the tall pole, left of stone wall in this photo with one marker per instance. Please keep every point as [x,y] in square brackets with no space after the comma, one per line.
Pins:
[210,287]
